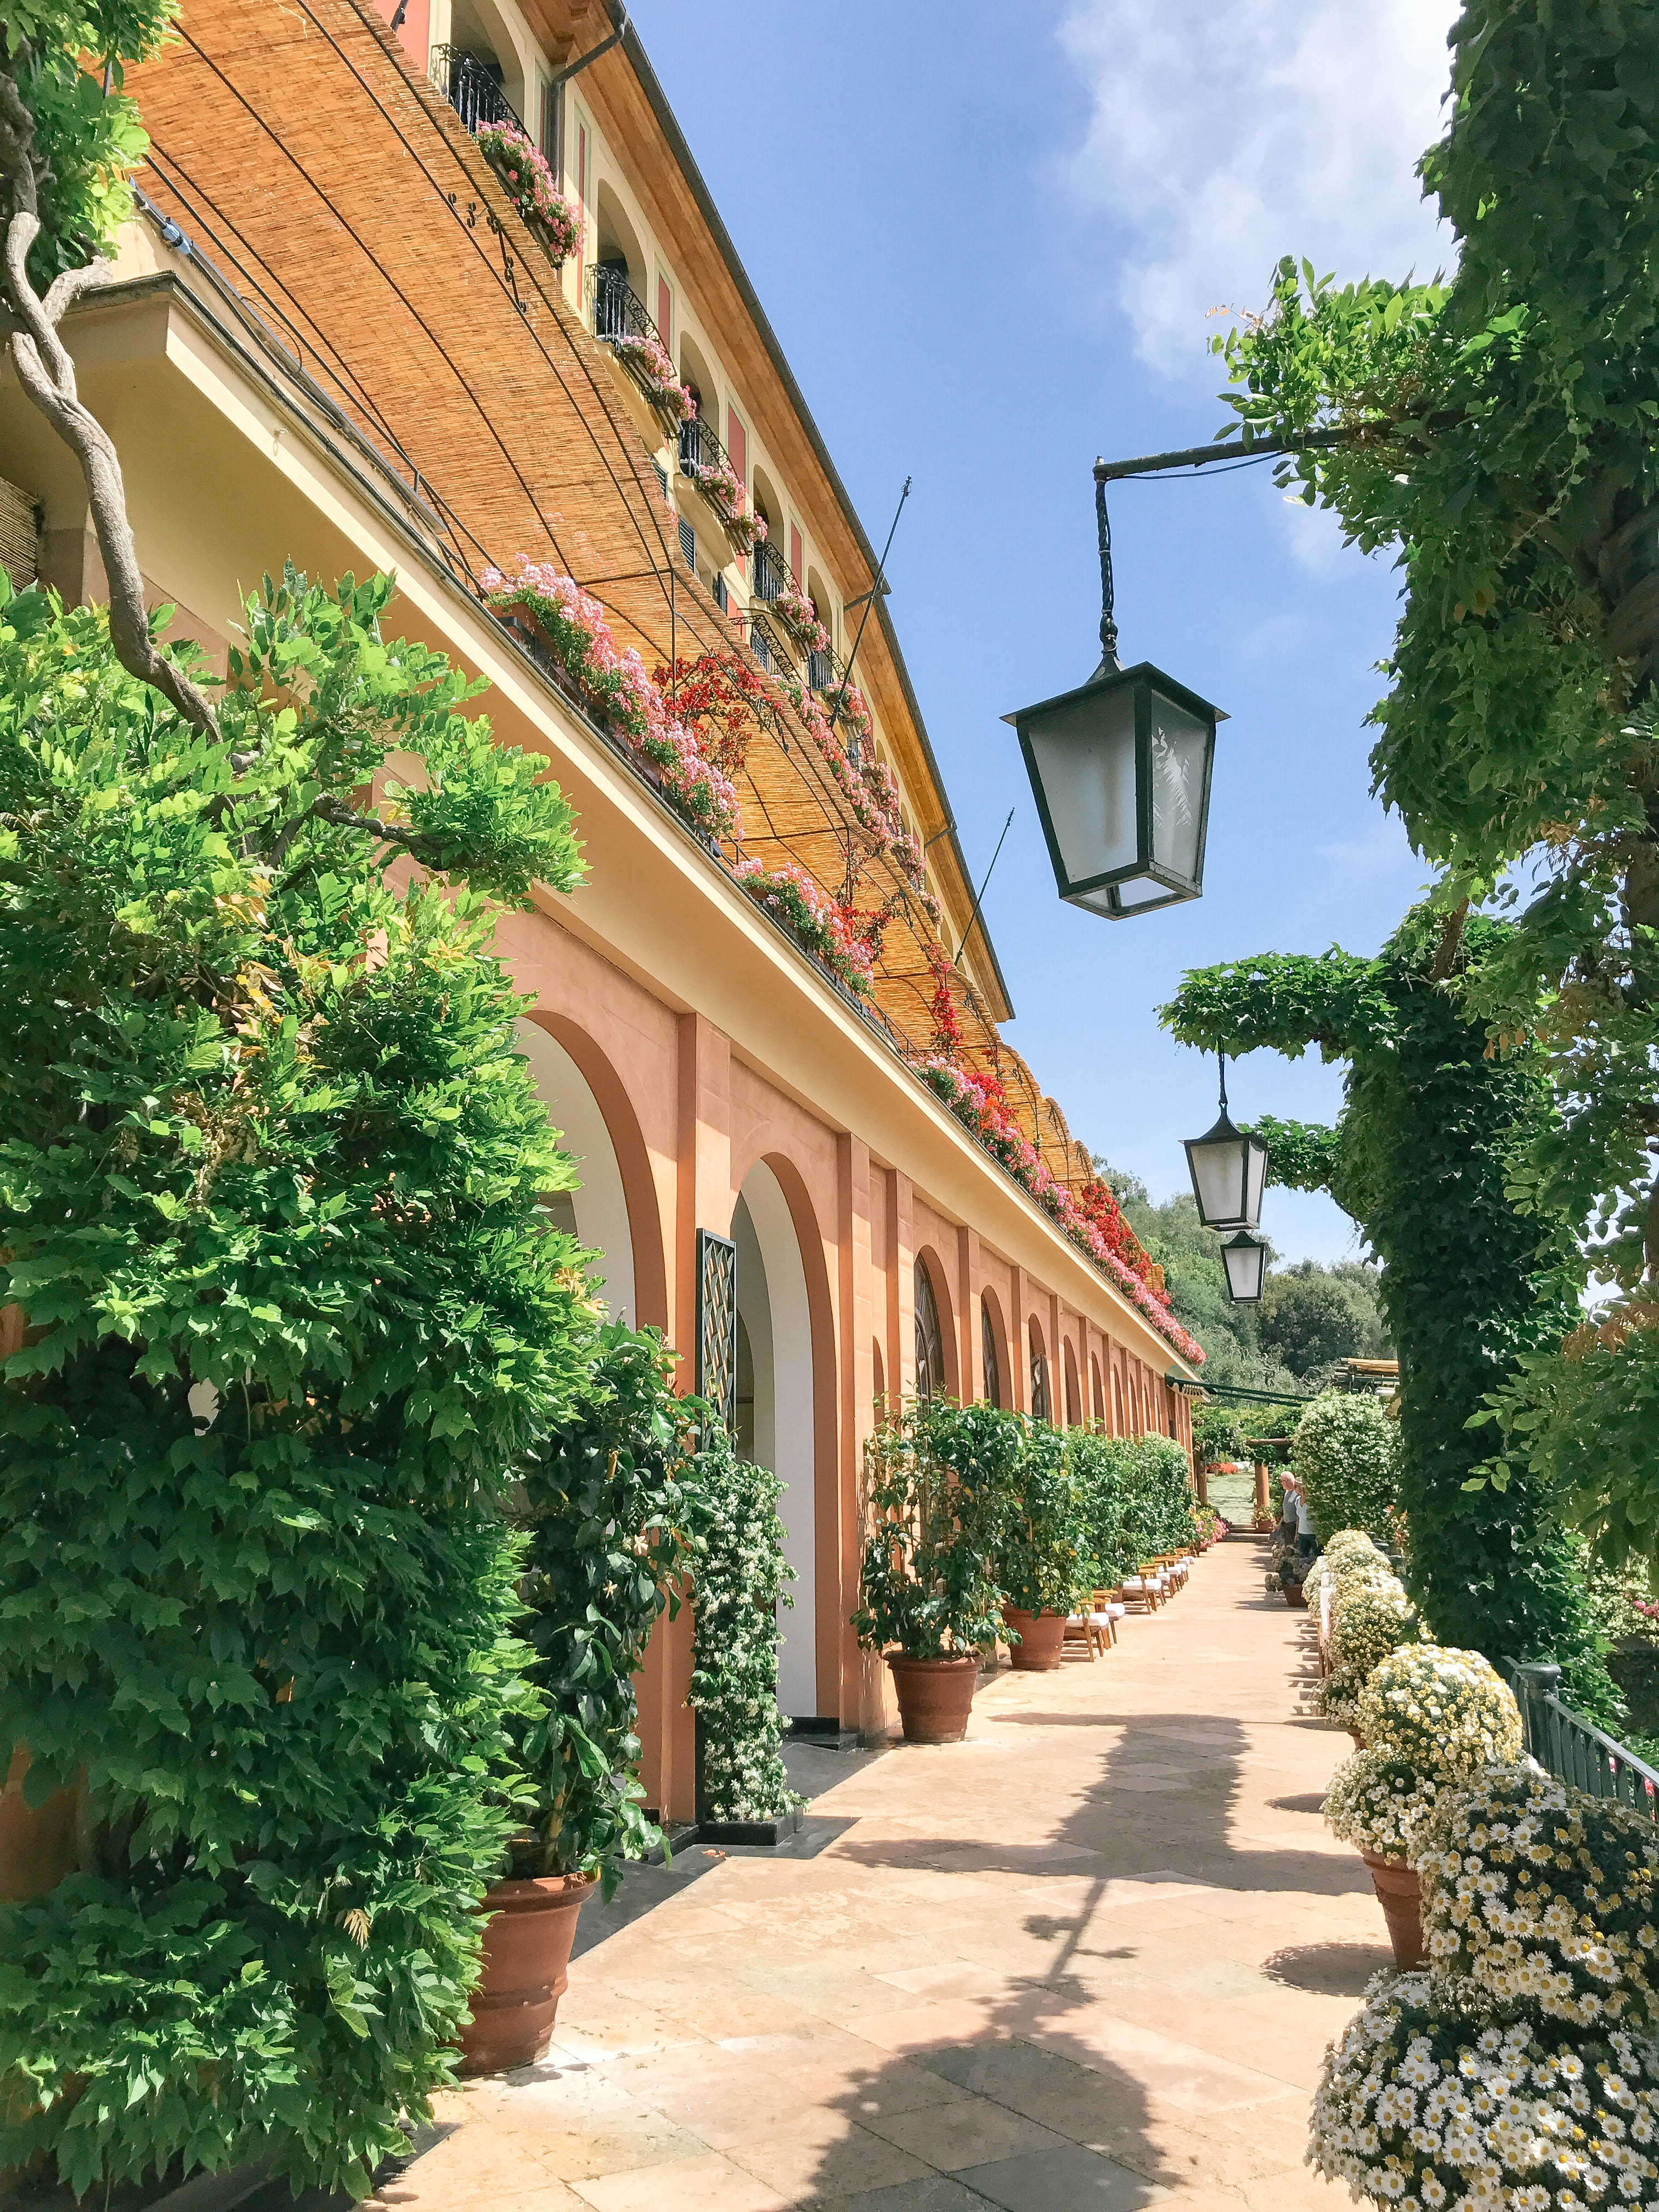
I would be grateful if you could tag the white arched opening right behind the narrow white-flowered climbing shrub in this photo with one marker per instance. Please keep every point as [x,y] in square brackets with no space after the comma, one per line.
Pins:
[775,1317]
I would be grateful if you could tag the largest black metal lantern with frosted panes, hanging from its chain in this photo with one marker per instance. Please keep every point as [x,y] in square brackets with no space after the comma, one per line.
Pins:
[1120,771]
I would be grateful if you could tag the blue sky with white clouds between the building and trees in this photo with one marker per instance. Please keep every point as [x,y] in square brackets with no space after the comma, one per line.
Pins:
[988,240]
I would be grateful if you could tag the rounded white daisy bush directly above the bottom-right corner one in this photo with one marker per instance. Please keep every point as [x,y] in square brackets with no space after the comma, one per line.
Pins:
[1547,1899]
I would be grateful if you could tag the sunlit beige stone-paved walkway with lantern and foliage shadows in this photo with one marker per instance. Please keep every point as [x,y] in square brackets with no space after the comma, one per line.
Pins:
[1089,1959]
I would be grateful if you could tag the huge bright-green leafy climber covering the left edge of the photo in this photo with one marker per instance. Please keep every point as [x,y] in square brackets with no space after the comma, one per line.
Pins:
[271,1200]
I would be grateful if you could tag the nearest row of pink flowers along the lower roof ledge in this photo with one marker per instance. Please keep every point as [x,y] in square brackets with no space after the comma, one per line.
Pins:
[572,623]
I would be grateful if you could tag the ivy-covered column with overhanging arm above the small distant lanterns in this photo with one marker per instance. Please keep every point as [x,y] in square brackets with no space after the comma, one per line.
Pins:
[1470,1284]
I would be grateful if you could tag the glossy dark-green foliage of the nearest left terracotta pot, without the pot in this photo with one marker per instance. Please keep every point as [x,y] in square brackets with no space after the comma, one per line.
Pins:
[603,1507]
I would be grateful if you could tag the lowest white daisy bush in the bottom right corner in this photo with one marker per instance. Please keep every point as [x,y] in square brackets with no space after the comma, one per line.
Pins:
[1434,2100]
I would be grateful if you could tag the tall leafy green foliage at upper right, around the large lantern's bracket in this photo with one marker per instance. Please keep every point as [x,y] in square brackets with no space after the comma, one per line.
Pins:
[1499,430]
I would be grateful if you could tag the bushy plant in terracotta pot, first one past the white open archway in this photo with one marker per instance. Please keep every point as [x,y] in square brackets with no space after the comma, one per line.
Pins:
[937,1479]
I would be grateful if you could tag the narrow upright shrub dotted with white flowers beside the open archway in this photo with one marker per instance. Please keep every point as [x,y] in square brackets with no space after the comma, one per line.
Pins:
[735,1556]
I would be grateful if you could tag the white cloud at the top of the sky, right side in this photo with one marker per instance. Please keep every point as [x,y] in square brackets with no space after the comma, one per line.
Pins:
[1227,134]
